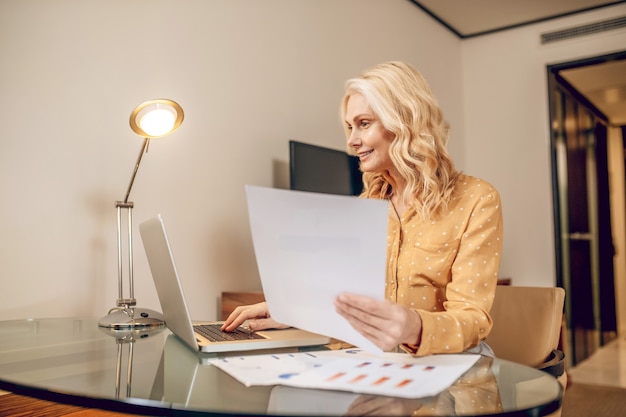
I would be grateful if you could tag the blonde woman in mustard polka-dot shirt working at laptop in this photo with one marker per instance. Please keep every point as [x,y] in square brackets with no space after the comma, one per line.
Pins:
[445,227]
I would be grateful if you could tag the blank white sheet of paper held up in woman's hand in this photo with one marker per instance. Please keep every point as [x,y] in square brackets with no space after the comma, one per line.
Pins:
[310,247]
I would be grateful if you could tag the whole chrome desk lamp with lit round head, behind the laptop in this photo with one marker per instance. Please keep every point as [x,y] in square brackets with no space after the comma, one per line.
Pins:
[151,119]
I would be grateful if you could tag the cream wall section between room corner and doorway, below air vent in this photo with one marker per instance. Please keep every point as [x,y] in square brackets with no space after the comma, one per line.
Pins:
[507,136]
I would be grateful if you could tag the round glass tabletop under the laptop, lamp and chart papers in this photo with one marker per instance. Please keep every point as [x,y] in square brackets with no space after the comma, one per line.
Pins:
[73,361]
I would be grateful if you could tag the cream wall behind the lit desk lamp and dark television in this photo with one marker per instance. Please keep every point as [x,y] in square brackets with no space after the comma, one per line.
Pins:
[250,76]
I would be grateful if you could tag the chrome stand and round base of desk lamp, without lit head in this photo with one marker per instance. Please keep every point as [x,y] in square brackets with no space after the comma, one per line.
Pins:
[126,315]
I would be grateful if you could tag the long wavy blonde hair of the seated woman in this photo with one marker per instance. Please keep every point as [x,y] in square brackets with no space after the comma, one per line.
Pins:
[403,102]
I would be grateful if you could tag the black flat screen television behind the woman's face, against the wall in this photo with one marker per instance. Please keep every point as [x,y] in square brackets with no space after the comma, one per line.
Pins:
[323,170]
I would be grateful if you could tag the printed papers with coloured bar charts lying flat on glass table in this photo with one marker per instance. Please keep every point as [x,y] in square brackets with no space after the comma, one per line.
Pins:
[354,370]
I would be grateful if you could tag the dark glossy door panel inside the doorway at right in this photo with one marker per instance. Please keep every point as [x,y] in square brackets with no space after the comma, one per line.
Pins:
[582,219]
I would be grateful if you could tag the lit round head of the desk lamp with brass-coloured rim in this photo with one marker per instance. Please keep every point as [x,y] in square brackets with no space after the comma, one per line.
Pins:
[156,118]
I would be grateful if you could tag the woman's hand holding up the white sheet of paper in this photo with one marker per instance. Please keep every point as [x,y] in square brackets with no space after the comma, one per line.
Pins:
[384,323]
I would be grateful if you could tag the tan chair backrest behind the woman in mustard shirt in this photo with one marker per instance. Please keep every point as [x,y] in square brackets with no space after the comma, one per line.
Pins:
[526,323]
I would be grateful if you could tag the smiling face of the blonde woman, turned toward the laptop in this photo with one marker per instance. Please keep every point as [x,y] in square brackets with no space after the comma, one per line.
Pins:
[367,137]
